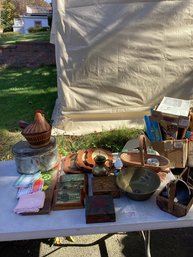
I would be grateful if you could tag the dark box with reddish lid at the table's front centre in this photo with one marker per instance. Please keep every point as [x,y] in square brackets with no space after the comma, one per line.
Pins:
[100,208]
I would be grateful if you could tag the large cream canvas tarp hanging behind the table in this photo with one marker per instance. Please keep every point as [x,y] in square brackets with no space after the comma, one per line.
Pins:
[118,58]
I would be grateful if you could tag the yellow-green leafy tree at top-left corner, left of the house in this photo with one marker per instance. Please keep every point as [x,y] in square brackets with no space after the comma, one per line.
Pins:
[7,14]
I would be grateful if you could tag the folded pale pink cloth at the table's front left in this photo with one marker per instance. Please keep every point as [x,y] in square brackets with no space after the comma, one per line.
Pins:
[30,202]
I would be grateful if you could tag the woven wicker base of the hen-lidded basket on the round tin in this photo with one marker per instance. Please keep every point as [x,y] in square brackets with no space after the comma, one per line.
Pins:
[37,140]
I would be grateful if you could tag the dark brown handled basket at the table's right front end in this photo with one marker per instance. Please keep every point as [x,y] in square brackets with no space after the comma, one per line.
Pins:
[169,205]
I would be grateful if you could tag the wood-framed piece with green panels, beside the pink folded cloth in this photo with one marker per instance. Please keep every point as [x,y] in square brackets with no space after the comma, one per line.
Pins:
[70,192]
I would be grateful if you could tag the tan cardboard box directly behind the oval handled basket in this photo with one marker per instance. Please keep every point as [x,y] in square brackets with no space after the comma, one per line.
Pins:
[175,150]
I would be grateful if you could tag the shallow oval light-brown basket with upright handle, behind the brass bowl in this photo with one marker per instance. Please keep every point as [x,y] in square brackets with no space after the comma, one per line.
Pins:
[140,158]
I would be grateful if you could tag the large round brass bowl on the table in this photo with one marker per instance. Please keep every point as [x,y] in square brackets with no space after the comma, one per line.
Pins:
[139,183]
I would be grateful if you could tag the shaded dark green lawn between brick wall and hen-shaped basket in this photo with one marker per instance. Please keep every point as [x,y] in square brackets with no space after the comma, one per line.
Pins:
[22,91]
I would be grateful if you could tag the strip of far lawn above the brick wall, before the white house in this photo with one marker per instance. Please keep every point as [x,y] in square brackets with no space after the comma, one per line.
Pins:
[13,38]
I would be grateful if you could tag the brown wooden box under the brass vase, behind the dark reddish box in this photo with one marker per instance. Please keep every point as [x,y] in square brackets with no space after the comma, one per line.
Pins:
[105,185]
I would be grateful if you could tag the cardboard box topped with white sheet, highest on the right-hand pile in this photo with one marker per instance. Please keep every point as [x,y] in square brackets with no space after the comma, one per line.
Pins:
[173,111]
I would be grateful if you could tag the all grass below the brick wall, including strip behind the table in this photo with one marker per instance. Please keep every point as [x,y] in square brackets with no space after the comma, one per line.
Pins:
[22,91]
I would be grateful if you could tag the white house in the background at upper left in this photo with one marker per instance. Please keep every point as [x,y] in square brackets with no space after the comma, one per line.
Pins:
[35,16]
